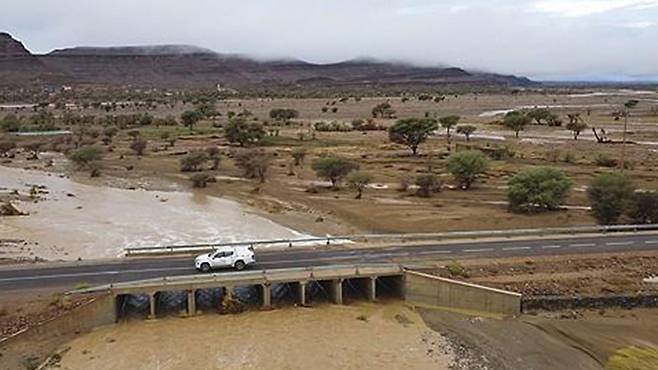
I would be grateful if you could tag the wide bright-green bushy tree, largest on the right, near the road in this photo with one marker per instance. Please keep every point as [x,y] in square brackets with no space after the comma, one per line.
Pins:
[538,189]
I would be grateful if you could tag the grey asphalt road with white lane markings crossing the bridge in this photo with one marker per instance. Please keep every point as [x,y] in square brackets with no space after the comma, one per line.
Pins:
[67,275]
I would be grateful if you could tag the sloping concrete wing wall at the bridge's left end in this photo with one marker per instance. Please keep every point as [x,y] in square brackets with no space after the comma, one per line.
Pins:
[36,343]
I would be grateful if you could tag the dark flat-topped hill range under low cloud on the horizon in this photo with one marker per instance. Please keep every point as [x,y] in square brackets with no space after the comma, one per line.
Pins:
[183,66]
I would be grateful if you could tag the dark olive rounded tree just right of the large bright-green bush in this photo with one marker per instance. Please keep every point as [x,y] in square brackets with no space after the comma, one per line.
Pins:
[609,195]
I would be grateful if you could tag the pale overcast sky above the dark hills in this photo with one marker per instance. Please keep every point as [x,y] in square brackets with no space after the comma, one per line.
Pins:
[543,39]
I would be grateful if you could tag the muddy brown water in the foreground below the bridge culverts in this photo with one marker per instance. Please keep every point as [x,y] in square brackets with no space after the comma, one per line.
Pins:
[362,336]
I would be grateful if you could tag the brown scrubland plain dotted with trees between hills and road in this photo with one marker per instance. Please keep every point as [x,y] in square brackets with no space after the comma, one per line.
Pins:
[432,160]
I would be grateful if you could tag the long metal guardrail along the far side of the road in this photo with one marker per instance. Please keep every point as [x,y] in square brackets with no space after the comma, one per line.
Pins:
[189,248]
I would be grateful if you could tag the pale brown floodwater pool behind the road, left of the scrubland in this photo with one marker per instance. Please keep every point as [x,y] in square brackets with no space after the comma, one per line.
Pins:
[72,220]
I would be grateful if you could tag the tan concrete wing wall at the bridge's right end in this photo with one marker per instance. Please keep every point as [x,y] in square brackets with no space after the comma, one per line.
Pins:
[426,290]
